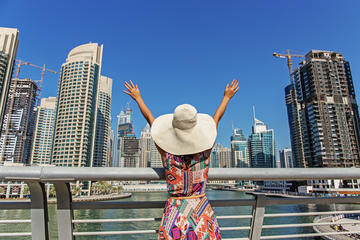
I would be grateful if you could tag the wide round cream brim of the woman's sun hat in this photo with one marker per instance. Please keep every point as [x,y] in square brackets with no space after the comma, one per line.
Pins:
[184,142]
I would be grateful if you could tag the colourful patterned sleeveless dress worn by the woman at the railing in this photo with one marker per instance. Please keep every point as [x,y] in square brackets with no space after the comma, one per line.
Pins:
[187,213]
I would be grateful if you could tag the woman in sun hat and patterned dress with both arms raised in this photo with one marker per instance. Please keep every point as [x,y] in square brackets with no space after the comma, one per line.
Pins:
[184,140]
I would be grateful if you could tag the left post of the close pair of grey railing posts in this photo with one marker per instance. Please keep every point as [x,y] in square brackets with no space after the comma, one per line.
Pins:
[39,211]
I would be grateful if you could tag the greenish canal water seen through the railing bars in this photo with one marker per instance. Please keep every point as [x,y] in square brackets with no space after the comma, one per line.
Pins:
[162,196]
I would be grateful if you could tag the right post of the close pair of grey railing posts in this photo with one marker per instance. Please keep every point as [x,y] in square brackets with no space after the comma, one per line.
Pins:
[64,211]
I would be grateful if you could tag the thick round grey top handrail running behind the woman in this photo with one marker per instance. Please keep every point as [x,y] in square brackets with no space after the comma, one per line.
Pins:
[138,174]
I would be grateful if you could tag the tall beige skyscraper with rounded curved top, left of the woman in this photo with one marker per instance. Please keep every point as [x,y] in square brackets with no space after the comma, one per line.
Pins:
[74,136]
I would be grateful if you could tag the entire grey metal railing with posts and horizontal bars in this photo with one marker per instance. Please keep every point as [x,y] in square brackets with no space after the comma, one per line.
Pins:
[36,177]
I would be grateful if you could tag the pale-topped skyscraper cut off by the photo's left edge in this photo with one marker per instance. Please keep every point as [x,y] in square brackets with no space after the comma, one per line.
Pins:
[8,49]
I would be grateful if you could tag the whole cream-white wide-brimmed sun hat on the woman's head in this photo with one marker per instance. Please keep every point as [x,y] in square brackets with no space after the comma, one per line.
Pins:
[185,131]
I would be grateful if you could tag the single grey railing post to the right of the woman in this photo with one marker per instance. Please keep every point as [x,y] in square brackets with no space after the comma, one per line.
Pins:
[257,217]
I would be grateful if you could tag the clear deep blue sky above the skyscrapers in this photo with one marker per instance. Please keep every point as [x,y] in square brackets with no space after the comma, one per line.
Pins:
[186,51]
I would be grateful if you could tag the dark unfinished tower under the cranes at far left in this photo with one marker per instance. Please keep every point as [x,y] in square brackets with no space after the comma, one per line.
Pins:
[18,124]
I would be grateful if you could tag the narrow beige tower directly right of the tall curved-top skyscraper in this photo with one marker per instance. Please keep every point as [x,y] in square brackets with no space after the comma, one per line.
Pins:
[103,124]
